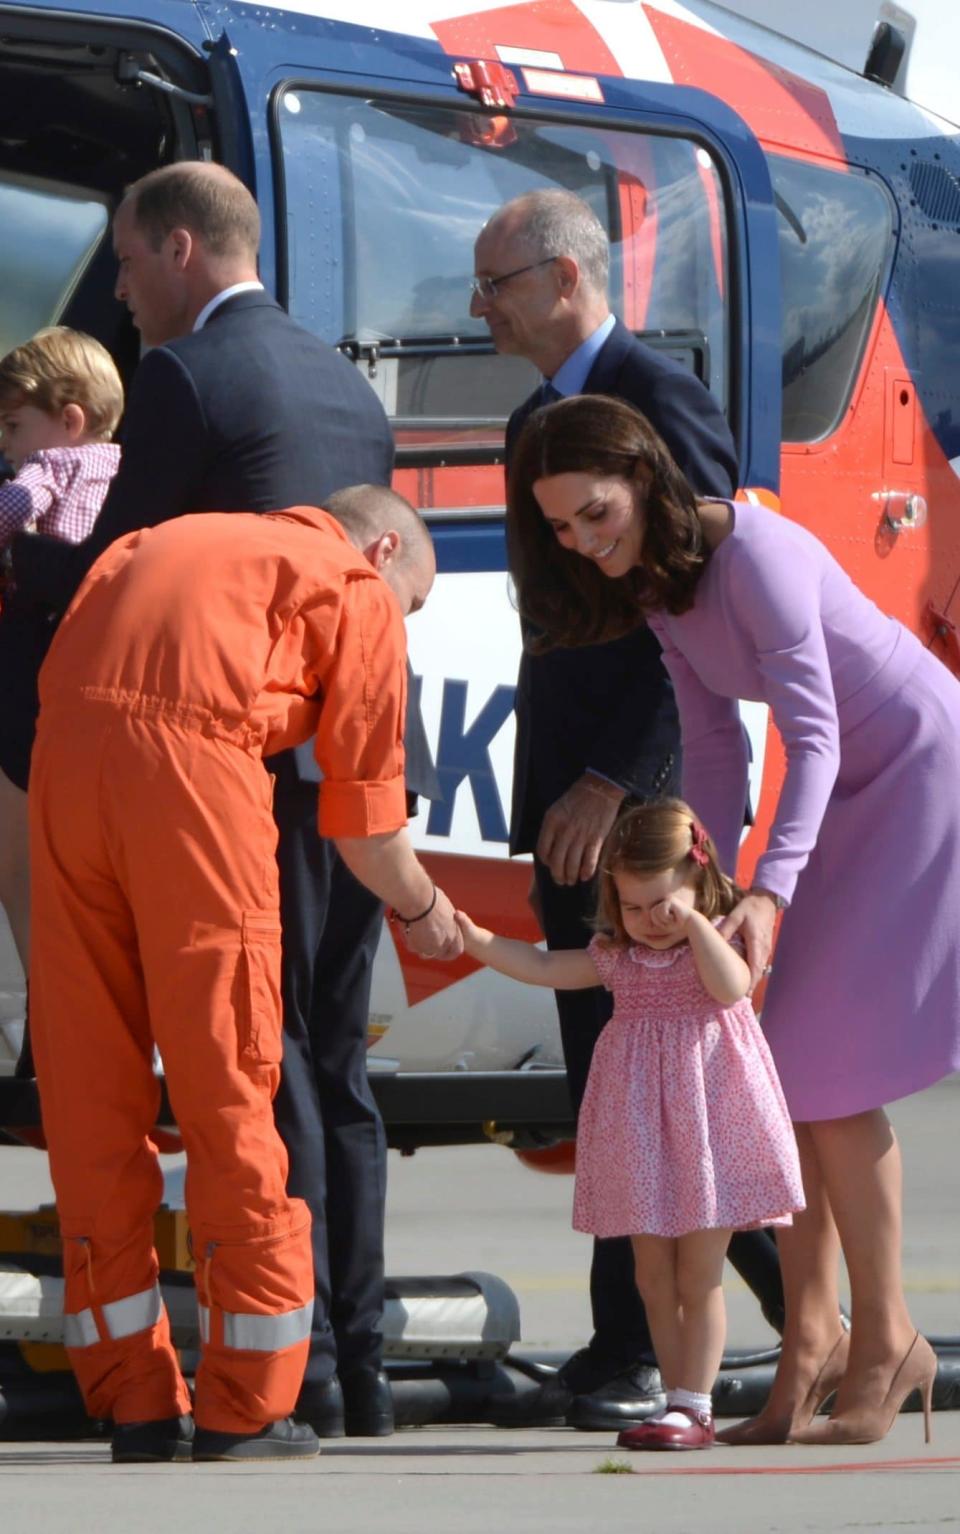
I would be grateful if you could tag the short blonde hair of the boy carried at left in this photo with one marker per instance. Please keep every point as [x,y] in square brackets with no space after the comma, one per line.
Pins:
[65,367]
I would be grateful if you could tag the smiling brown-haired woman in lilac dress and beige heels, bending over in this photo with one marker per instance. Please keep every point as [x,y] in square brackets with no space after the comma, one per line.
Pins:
[864,854]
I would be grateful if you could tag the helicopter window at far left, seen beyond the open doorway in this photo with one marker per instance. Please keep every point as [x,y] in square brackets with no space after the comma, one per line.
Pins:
[48,235]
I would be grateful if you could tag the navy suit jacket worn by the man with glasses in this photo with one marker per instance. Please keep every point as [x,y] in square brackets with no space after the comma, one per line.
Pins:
[611,708]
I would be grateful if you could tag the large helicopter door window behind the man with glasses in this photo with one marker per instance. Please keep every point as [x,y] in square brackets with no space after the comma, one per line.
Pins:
[384,202]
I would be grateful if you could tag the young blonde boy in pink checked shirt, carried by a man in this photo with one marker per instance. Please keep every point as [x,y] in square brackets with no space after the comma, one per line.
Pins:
[61,403]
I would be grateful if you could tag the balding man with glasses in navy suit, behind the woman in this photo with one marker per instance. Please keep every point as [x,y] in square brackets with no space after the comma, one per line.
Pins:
[600,723]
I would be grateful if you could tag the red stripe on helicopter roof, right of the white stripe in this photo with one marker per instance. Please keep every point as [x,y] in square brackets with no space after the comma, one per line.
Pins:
[781,108]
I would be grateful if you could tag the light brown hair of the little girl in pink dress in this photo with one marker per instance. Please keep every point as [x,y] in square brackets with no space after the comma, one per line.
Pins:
[657,838]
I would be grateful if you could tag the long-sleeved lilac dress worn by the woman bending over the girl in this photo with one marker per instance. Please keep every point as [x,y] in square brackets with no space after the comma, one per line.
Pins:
[864,1002]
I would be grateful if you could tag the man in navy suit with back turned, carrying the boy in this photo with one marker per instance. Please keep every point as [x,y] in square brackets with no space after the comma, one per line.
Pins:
[237,409]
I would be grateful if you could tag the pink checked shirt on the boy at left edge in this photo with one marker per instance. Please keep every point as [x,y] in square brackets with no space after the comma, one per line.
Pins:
[59,492]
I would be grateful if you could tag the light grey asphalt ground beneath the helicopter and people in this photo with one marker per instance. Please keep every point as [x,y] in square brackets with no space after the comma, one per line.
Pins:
[479,1208]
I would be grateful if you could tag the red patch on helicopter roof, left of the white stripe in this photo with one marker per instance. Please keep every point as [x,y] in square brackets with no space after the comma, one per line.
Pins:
[551,27]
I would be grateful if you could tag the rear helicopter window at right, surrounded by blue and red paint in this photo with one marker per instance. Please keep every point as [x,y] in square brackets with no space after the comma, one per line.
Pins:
[837,235]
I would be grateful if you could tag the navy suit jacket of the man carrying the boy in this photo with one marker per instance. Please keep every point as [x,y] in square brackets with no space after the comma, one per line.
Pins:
[251,413]
